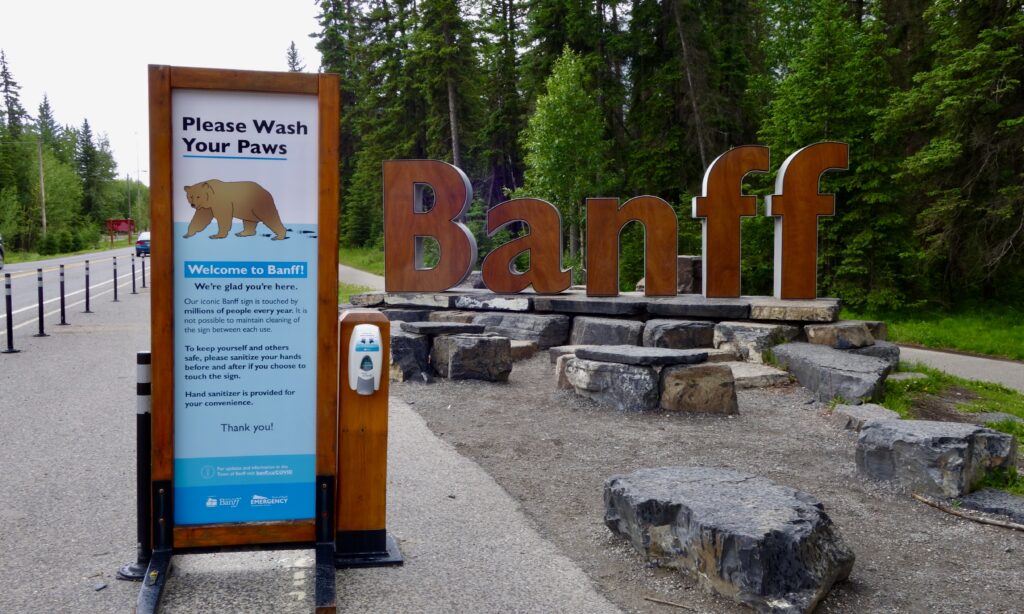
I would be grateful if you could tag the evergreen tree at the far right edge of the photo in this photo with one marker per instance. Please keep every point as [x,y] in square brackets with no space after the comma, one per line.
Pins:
[964,123]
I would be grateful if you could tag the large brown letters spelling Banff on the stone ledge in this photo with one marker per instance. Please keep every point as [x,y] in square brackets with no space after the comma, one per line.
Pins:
[796,206]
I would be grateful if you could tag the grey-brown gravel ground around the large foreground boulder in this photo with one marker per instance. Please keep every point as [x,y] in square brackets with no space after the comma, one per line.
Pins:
[552,452]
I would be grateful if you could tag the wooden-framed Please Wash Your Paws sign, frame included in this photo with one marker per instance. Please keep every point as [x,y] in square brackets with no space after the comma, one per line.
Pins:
[245,324]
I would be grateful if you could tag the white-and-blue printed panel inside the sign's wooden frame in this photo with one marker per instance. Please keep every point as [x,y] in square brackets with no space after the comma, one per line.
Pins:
[245,305]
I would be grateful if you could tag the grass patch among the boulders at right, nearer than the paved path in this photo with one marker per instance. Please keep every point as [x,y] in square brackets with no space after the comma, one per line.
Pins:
[984,398]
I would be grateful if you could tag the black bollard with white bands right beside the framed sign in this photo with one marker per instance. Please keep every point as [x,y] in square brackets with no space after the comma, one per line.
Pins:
[144,403]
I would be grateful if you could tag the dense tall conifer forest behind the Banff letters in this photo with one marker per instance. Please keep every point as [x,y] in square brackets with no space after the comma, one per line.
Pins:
[565,100]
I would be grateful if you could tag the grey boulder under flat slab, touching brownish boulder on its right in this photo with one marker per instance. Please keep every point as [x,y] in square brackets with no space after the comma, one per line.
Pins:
[626,387]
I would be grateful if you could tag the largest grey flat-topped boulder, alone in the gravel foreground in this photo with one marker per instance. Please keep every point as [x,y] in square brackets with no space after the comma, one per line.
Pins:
[743,537]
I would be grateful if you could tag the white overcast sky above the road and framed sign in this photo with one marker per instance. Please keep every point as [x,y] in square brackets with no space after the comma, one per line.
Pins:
[91,57]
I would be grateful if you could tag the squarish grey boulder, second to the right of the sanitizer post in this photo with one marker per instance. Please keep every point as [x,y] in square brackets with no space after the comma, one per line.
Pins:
[473,358]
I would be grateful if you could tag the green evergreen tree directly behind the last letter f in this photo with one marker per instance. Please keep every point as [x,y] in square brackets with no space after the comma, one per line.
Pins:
[835,91]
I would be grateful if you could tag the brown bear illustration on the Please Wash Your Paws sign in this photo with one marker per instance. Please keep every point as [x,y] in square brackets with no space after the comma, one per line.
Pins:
[224,201]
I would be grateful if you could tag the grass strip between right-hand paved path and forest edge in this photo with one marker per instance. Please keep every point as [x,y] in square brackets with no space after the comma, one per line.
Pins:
[993,331]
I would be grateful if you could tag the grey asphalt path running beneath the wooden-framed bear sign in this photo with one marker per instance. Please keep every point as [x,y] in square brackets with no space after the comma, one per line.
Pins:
[67,506]
